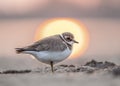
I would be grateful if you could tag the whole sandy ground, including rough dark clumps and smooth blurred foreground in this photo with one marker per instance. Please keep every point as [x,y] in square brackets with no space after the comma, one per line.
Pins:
[92,73]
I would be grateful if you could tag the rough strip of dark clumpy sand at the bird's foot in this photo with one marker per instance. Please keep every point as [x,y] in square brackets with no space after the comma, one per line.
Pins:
[89,68]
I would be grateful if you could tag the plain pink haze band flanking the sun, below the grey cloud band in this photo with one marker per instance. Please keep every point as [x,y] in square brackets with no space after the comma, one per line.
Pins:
[103,34]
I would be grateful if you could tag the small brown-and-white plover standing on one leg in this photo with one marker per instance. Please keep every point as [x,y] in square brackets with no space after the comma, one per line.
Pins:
[52,49]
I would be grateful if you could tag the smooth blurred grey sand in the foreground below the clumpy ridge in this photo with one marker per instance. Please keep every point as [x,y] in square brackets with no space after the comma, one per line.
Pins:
[66,79]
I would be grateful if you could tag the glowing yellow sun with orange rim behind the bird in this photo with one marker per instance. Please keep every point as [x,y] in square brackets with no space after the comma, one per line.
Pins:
[60,25]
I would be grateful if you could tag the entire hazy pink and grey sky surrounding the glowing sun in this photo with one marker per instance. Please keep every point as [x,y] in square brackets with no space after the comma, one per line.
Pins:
[19,21]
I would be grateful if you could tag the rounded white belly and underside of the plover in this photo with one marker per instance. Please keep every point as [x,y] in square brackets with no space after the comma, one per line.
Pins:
[46,57]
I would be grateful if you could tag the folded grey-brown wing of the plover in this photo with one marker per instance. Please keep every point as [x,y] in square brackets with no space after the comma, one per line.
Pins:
[53,43]
